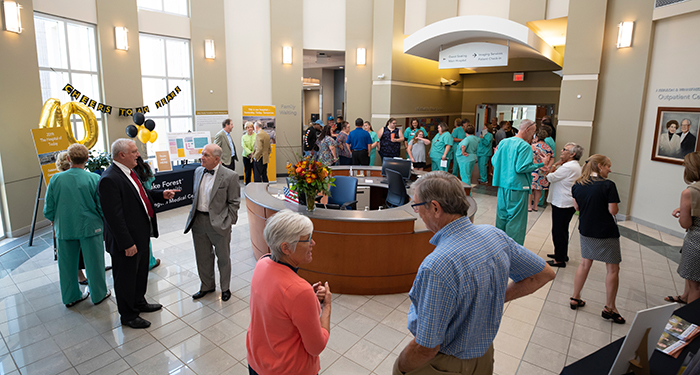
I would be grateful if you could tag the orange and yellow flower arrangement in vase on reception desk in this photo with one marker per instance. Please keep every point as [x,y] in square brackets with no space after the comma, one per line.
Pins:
[310,177]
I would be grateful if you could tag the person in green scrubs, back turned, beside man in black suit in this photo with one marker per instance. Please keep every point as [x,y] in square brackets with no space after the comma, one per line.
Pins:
[73,206]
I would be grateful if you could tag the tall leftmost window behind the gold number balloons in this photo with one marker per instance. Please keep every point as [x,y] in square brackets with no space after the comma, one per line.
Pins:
[67,53]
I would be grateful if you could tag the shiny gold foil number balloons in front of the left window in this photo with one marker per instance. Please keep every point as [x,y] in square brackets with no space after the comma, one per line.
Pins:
[55,115]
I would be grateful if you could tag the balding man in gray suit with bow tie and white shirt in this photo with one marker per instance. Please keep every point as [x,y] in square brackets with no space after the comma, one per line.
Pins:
[214,210]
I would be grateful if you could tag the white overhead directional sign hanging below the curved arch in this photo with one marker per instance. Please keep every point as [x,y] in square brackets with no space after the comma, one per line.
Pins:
[474,55]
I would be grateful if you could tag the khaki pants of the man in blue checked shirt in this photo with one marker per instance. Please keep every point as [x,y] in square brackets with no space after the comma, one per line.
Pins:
[447,364]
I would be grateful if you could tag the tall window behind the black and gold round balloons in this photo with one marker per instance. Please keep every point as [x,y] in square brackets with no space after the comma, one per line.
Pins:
[165,64]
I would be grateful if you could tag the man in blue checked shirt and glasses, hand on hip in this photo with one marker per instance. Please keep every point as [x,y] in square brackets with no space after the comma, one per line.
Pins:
[458,295]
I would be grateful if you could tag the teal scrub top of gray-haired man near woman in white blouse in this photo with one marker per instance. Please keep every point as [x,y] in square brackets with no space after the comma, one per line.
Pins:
[512,164]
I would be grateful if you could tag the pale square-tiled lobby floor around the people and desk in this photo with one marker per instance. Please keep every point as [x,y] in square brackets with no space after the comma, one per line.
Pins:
[539,334]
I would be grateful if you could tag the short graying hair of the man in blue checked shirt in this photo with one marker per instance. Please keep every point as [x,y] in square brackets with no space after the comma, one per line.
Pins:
[444,188]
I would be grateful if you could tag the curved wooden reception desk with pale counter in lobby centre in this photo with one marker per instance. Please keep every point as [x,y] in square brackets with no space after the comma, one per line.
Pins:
[357,252]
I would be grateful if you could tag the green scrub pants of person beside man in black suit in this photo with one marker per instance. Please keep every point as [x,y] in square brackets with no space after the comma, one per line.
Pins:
[93,254]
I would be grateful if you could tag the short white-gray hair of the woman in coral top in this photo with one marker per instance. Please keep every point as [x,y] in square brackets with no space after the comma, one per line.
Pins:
[286,227]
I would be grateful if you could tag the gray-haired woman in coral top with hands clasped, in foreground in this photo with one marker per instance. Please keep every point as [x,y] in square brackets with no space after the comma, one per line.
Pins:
[286,335]
